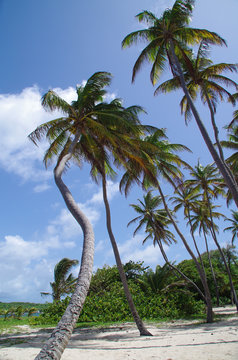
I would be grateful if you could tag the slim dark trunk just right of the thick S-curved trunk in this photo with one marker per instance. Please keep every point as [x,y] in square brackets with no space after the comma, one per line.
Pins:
[141,327]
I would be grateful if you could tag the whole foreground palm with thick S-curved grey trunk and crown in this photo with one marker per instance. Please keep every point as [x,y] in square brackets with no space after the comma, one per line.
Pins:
[83,120]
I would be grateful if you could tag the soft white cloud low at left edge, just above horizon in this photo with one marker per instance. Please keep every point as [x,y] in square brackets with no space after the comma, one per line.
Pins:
[25,267]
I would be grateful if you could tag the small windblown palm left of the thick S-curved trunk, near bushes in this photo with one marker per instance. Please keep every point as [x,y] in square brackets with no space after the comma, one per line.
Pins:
[63,281]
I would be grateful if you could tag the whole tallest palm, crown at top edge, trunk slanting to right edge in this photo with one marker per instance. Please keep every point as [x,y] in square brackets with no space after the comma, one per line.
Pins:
[168,38]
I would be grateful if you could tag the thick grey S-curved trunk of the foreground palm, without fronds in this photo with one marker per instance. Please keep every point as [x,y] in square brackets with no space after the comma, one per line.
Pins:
[60,336]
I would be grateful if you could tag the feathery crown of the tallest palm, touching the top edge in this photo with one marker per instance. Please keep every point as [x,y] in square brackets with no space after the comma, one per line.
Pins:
[172,26]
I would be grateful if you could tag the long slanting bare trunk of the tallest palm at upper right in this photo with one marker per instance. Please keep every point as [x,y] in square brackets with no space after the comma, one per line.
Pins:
[227,178]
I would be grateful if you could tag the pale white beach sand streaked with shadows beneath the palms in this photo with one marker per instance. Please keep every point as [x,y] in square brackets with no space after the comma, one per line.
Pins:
[178,340]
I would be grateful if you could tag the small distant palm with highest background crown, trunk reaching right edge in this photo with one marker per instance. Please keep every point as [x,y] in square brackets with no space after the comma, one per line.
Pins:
[207,179]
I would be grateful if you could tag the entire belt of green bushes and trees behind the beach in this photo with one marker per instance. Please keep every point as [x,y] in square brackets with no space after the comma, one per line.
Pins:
[158,294]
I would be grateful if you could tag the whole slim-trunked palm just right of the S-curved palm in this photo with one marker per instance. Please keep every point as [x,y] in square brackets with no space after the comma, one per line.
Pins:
[122,127]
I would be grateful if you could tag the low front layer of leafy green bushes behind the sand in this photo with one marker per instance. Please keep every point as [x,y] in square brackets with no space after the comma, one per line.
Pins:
[112,306]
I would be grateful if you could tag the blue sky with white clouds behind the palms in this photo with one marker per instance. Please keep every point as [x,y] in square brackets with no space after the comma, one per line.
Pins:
[58,44]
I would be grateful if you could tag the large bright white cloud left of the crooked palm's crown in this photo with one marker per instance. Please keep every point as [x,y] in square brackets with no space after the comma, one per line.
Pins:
[20,115]
